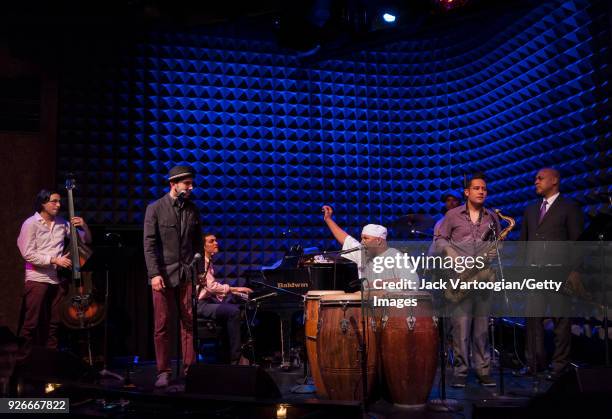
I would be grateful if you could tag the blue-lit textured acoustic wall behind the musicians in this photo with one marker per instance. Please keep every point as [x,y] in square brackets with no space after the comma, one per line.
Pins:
[377,134]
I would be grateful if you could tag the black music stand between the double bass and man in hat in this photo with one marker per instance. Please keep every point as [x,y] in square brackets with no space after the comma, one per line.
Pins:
[100,261]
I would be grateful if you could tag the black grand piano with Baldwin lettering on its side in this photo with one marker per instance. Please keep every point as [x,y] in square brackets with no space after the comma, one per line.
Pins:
[291,278]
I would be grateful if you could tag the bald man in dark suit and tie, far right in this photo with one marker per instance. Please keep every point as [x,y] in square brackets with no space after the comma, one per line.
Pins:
[553,218]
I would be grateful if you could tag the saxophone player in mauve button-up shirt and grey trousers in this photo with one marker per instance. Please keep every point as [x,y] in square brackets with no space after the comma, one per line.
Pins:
[465,231]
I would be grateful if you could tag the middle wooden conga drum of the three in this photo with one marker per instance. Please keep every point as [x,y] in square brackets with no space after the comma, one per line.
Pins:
[338,339]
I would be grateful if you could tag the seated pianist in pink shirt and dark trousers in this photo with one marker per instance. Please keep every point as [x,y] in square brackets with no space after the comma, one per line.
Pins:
[218,301]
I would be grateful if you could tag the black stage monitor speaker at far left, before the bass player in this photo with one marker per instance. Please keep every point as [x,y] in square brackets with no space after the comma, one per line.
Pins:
[44,363]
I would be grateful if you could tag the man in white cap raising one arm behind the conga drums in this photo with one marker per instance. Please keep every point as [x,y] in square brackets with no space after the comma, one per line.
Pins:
[373,244]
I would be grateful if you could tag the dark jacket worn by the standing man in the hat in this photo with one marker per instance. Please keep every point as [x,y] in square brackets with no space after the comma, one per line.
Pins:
[168,251]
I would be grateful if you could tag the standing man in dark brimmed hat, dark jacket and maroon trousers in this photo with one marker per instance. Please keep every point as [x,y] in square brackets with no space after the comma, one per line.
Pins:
[172,236]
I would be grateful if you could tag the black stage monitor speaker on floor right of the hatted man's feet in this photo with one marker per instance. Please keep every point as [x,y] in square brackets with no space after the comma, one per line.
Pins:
[231,380]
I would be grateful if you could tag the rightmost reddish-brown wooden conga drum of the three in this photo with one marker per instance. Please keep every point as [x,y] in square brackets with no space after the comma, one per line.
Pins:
[409,348]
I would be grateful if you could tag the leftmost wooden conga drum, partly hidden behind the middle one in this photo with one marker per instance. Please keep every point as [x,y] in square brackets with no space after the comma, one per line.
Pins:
[311,322]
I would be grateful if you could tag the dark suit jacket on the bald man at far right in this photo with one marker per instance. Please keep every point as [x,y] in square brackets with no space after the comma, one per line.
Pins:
[563,221]
